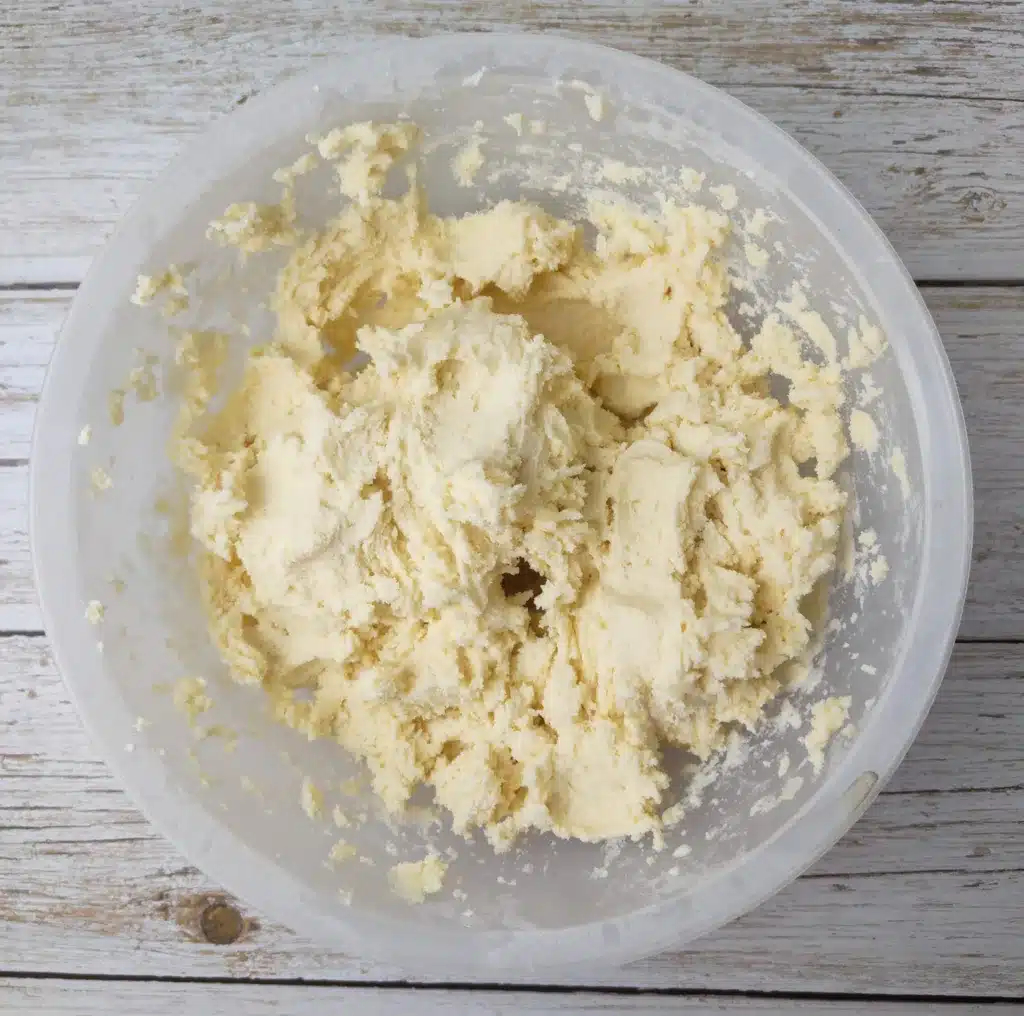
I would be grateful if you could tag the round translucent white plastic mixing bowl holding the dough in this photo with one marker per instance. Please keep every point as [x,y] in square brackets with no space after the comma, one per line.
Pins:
[260,844]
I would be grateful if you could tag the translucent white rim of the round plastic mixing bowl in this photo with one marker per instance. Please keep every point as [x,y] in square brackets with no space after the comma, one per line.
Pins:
[851,784]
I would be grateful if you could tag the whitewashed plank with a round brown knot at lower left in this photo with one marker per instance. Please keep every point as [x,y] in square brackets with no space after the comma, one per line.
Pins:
[926,895]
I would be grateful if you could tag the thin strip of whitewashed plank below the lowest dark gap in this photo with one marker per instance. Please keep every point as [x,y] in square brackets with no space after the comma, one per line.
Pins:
[67,998]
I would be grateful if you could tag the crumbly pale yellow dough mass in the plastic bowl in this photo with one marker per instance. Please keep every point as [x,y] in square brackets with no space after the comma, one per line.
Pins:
[506,513]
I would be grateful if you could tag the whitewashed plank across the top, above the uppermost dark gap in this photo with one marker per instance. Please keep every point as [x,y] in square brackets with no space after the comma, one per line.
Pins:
[911,105]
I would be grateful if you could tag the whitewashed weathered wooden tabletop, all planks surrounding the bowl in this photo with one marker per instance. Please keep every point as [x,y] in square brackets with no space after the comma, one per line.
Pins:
[919,108]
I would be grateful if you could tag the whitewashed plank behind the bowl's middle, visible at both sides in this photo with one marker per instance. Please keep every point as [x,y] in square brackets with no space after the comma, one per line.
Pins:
[983,334]
